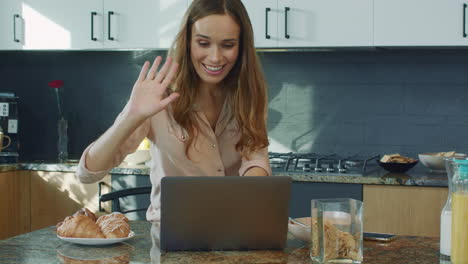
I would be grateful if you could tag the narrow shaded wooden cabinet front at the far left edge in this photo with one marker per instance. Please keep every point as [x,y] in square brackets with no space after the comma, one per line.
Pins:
[15,203]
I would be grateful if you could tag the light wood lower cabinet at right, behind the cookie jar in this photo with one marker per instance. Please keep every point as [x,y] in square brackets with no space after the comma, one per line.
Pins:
[403,210]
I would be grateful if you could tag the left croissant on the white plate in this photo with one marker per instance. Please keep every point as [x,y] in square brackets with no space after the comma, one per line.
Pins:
[79,226]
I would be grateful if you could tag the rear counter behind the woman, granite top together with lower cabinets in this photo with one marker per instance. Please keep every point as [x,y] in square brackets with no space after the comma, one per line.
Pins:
[386,195]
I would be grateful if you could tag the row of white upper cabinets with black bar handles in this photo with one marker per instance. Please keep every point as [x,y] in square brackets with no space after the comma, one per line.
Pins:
[153,24]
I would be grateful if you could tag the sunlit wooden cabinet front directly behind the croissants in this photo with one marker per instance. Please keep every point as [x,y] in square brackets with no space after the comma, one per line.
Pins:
[55,195]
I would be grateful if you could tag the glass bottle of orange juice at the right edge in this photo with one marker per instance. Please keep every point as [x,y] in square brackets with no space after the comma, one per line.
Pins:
[459,247]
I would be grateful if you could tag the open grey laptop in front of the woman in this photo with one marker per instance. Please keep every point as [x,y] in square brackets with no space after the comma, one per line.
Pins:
[224,213]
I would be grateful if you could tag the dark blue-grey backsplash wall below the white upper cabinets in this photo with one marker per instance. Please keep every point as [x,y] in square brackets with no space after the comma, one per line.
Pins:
[384,101]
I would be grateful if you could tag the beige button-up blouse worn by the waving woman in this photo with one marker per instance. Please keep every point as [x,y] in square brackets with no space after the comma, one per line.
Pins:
[213,153]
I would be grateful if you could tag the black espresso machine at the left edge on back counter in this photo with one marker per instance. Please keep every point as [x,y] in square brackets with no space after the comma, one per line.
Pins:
[9,127]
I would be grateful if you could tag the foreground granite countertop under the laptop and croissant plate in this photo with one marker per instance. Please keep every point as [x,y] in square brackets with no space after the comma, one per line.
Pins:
[42,246]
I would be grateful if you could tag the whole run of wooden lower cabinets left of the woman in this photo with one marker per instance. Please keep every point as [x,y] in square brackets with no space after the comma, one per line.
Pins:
[31,200]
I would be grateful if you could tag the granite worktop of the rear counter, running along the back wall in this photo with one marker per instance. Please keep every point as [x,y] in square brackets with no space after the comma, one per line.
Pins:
[418,176]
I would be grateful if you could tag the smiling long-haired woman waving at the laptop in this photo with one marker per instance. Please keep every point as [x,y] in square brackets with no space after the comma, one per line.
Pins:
[214,121]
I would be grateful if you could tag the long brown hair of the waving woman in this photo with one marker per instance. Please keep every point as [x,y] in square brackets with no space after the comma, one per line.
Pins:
[245,84]
